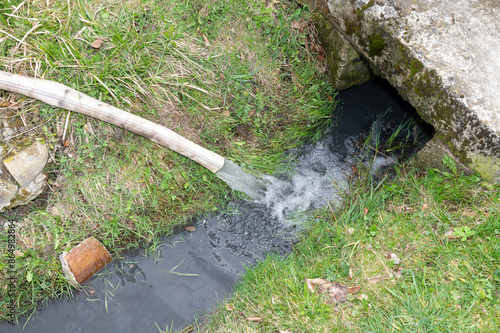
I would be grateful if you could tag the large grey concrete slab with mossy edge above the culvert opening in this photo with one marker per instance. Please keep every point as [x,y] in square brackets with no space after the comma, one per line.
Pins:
[442,56]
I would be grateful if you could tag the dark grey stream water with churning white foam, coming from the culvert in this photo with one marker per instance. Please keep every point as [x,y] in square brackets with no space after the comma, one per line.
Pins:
[193,270]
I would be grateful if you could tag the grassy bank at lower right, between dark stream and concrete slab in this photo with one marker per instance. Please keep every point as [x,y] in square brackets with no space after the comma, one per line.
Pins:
[442,227]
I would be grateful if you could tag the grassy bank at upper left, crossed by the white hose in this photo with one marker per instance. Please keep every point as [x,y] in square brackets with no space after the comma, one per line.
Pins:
[232,76]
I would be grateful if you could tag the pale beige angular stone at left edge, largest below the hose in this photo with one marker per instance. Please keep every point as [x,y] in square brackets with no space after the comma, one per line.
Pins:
[27,164]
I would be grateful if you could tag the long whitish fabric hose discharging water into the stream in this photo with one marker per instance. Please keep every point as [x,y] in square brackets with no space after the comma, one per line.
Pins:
[62,96]
